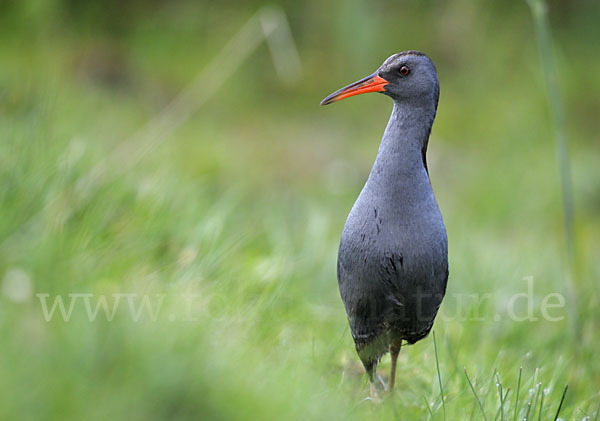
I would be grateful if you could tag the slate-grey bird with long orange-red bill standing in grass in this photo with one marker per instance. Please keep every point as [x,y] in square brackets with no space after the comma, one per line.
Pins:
[392,266]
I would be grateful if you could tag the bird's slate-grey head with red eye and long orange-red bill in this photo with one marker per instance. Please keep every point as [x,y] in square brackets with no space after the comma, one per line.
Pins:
[409,76]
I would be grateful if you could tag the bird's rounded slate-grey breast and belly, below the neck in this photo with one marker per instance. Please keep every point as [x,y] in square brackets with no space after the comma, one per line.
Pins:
[392,266]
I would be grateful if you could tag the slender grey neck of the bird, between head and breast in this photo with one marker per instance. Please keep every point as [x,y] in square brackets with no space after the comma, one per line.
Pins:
[400,162]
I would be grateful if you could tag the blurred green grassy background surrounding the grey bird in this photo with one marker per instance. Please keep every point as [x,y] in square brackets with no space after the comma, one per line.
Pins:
[242,206]
